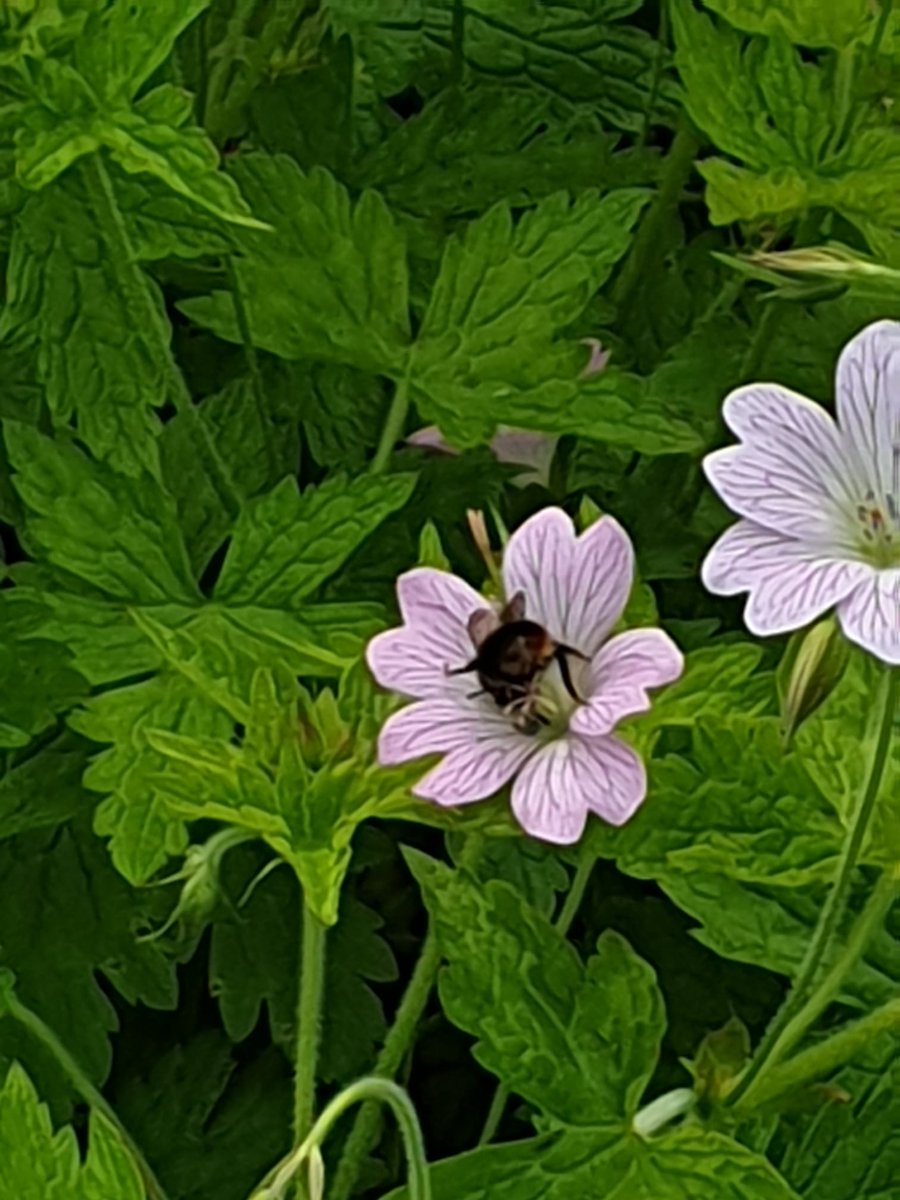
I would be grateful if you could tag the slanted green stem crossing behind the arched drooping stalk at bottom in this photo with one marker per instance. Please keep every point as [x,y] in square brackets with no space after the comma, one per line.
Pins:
[364,1135]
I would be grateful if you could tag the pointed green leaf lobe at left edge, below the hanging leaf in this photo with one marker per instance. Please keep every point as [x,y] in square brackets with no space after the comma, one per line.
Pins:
[119,535]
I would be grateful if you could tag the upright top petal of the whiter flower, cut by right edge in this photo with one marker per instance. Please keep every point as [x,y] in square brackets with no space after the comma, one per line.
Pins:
[868,385]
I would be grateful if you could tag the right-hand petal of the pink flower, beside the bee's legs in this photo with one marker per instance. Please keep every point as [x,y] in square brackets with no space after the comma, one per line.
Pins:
[621,674]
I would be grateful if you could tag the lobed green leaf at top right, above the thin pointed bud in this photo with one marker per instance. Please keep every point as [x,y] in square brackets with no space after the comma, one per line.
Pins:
[783,117]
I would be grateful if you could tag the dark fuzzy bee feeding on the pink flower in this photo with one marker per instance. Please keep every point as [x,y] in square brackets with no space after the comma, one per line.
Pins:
[512,656]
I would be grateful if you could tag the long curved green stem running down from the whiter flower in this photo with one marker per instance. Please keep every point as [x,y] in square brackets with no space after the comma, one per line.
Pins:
[785,1030]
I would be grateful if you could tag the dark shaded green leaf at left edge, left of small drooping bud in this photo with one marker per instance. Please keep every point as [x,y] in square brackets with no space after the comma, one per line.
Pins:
[75,919]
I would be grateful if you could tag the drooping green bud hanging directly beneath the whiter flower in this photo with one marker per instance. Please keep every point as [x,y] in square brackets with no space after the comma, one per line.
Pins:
[811,670]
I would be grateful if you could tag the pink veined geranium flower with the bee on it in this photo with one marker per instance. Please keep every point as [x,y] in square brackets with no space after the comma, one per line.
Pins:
[575,587]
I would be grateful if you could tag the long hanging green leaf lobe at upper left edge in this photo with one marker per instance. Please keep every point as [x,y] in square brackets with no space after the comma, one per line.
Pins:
[97,364]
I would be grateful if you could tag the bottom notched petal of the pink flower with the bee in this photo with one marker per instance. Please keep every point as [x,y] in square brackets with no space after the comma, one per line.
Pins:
[555,791]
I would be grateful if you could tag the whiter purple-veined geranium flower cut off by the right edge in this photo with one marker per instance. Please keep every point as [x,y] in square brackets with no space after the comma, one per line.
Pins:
[820,501]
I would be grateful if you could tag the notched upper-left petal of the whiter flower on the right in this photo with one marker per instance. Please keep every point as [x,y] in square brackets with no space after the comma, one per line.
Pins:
[791,475]
